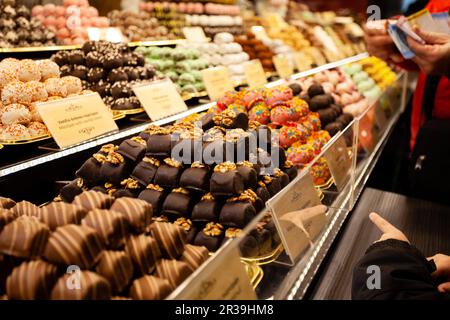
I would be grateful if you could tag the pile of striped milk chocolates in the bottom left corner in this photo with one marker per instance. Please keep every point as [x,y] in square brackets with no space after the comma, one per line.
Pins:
[94,248]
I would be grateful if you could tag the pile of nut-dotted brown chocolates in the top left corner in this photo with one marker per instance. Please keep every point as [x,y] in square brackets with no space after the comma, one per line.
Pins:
[18,29]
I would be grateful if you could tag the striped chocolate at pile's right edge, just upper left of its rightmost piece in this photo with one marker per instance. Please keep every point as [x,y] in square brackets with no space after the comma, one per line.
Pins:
[171,238]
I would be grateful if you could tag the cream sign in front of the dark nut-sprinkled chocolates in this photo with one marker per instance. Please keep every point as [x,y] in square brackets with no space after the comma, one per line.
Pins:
[160,99]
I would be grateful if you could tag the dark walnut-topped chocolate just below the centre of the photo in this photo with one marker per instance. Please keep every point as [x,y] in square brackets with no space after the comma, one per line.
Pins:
[226,180]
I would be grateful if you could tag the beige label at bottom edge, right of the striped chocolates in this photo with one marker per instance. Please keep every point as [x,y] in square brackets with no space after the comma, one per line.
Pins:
[223,278]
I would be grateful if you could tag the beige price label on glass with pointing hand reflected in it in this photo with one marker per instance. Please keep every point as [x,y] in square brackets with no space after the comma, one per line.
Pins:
[300,195]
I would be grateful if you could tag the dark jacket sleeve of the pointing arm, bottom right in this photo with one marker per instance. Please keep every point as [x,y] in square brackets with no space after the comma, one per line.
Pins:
[404,274]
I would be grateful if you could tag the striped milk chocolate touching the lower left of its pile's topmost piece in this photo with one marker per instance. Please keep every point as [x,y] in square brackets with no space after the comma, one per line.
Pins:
[58,214]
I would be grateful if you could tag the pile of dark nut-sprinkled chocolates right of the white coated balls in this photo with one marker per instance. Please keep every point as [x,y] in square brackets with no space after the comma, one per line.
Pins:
[109,69]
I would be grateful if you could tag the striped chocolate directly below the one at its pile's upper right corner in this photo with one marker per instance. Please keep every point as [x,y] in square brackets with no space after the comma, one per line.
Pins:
[144,252]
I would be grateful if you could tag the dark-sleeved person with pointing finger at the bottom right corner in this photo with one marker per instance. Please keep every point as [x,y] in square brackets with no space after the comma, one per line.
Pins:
[404,273]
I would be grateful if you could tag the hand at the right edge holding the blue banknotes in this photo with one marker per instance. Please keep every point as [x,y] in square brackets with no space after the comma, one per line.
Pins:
[433,58]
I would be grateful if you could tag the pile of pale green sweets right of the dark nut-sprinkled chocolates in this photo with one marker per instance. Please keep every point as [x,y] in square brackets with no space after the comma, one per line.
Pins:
[182,65]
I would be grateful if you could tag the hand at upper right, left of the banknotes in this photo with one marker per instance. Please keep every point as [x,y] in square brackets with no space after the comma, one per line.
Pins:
[379,42]
